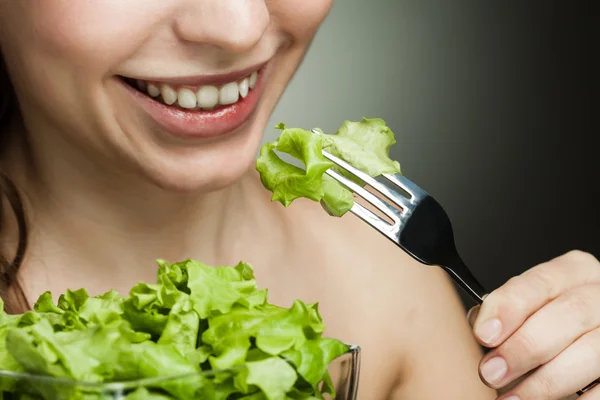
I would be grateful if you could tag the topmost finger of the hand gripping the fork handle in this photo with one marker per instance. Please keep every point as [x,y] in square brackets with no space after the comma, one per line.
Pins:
[505,309]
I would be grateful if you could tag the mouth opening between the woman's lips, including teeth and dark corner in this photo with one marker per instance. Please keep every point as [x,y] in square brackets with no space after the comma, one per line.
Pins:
[196,97]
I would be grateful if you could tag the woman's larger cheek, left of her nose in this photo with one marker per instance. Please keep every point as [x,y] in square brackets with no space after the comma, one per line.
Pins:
[89,32]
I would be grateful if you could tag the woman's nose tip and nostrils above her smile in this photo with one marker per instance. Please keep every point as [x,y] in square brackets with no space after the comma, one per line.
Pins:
[232,25]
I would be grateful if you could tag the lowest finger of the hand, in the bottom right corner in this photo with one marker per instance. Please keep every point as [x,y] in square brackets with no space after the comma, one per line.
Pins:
[567,373]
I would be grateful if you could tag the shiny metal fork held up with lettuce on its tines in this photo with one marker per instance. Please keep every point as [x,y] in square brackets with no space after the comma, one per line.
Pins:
[421,228]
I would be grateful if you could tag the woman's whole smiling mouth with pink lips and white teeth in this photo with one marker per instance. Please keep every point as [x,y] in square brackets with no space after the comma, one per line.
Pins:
[202,106]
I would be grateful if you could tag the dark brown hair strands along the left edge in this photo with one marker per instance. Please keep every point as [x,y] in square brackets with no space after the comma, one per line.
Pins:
[10,290]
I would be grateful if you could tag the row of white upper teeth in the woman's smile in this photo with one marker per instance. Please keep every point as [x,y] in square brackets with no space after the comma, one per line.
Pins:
[205,97]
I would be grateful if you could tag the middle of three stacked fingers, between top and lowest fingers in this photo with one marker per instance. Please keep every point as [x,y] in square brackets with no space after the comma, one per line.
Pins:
[544,335]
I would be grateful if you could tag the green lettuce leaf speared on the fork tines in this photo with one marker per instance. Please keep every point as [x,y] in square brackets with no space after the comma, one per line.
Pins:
[365,145]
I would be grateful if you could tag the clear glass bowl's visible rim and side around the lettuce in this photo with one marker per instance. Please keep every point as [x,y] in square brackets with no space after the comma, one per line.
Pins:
[344,372]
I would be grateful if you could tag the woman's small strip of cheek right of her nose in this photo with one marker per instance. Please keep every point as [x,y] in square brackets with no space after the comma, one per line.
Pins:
[299,18]
